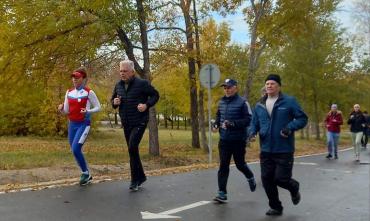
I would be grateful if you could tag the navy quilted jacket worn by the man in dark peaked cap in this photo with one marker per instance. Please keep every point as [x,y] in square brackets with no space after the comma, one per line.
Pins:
[235,110]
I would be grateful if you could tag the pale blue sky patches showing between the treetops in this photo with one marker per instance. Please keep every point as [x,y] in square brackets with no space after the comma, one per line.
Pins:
[240,32]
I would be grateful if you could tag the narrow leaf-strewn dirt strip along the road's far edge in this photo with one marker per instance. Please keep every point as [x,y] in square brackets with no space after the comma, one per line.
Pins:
[48,177]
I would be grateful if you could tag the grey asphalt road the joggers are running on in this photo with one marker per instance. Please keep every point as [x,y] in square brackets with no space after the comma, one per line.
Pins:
[331,190]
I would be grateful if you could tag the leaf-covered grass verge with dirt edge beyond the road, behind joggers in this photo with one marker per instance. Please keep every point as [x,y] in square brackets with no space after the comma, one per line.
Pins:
[35,159]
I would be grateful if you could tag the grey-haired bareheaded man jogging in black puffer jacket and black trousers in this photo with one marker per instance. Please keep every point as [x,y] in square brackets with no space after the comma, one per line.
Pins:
[134,97]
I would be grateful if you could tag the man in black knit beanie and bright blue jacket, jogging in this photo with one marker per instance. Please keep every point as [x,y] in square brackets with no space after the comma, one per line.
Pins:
[276,116]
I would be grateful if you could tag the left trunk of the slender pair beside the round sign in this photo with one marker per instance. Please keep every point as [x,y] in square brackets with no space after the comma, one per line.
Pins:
[185,7]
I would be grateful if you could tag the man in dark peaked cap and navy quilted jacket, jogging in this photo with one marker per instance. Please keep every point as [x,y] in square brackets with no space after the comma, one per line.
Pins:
[232,119]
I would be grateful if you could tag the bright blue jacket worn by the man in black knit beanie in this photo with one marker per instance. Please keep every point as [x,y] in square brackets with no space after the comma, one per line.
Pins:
[287,114]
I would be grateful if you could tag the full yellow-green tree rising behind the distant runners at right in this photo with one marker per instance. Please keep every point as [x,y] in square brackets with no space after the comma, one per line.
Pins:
[314,56]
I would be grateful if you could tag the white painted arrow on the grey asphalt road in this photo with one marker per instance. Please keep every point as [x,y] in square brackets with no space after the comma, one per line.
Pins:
[167,214]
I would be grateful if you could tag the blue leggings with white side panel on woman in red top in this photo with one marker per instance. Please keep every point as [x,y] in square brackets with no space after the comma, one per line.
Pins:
[77,134]
